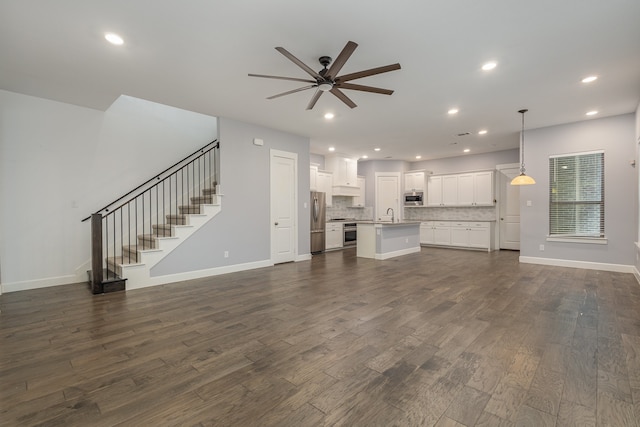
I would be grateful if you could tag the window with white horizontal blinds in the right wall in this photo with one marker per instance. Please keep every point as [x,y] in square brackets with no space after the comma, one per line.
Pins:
[576,195]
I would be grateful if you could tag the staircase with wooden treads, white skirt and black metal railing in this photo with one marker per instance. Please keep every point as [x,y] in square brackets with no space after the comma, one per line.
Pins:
[142,227]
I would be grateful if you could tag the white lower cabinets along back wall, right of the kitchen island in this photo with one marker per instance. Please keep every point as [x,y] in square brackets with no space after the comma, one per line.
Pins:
[459,234]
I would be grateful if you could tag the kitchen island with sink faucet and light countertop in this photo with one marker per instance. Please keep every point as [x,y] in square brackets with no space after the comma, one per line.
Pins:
[385,239]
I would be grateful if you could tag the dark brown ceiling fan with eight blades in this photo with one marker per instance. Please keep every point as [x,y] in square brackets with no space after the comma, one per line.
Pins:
[327,79]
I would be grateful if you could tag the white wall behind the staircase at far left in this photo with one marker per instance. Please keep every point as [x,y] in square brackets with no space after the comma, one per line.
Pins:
[59,163]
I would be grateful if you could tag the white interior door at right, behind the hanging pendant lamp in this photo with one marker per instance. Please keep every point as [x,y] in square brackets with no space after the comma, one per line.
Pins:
[509,209]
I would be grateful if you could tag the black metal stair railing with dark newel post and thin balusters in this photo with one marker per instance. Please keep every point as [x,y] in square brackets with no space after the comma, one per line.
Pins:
[134,221]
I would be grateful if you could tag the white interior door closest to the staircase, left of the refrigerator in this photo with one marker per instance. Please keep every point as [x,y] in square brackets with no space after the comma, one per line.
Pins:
[284,178]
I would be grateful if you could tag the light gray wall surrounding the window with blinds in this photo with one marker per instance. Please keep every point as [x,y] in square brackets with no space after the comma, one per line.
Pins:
[614,135]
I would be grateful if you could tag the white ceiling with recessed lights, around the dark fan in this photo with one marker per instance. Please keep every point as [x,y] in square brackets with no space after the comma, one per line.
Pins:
[196,54]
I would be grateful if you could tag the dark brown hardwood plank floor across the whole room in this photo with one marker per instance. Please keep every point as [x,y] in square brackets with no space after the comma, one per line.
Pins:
[443,337]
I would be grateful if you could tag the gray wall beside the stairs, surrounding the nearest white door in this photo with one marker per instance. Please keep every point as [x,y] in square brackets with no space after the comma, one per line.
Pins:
[243,227]
